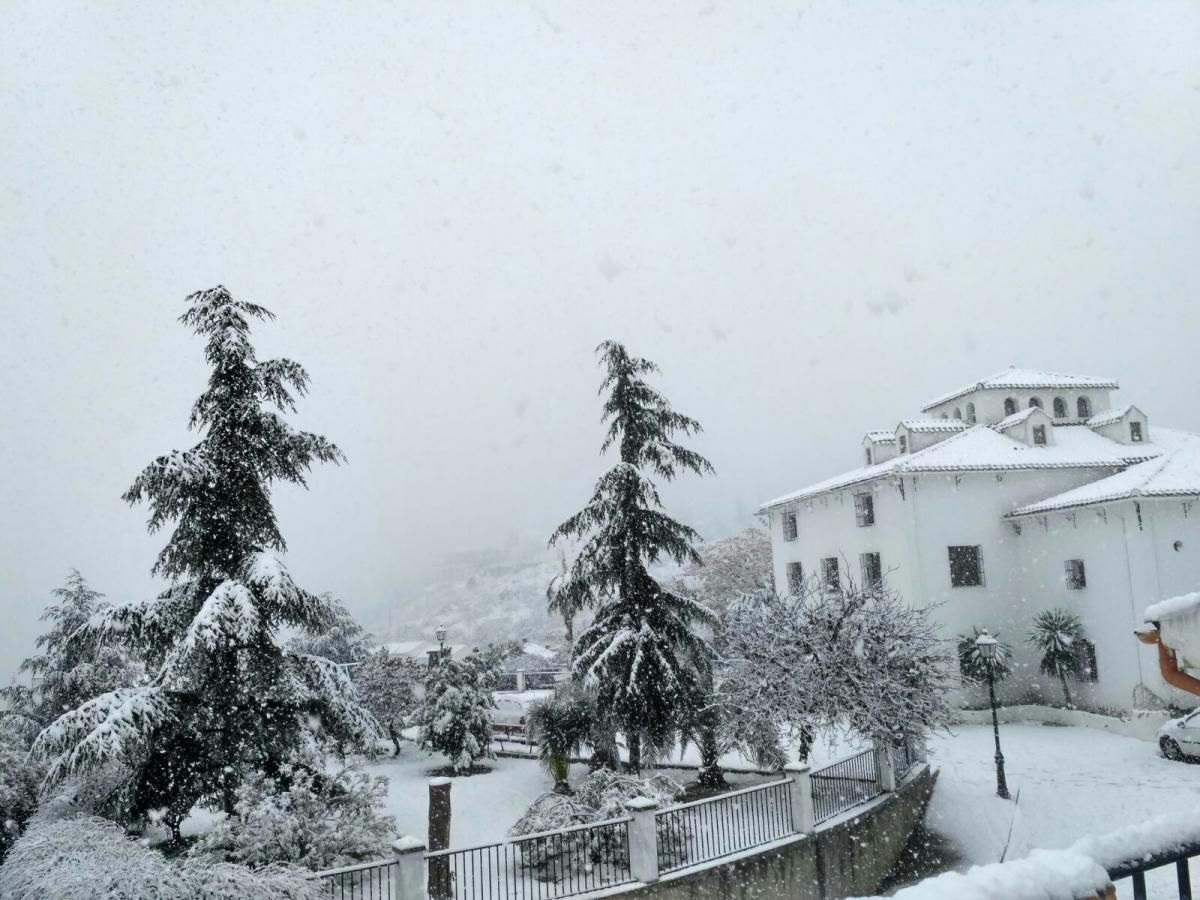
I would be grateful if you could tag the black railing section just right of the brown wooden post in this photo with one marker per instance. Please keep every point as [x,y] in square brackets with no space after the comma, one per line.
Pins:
[536,867]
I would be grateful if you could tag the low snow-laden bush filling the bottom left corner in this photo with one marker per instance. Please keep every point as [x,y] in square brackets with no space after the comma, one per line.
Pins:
[83,859]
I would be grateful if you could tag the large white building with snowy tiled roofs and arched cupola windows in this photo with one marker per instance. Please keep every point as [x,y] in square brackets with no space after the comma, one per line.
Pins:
[1021,493]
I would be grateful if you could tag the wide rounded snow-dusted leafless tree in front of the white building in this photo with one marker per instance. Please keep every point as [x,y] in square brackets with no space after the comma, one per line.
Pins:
[861,661]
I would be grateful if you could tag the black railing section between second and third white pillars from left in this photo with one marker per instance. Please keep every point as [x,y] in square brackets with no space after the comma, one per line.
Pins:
[729,824]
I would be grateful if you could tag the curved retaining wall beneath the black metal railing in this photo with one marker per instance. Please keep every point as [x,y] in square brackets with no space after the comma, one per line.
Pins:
[848,860]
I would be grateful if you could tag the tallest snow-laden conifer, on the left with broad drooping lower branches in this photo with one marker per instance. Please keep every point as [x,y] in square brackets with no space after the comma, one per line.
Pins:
[223,698]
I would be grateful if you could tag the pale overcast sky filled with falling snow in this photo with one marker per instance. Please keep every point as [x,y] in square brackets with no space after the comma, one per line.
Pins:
[813,215]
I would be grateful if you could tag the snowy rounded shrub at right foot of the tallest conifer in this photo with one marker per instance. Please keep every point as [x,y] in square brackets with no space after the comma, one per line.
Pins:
[308,819]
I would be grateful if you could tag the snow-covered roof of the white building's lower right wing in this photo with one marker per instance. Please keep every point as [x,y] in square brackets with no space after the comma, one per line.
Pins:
[1174,473]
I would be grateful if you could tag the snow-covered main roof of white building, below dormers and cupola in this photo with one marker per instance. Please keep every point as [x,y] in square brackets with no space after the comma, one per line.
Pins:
[981,448]
